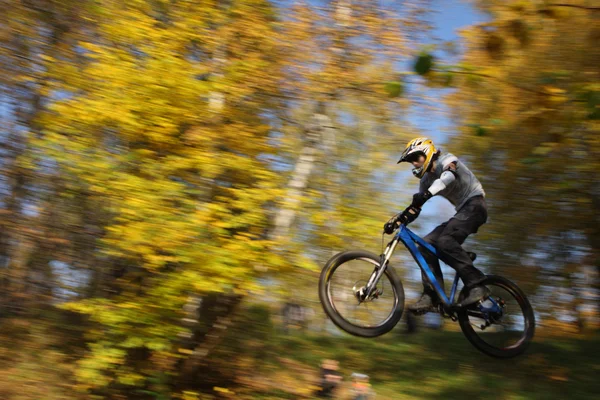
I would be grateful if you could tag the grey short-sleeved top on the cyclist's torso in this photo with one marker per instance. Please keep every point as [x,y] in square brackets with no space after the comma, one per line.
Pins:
[462,189]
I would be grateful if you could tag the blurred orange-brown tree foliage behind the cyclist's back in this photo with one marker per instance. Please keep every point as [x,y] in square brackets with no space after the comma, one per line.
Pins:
[527,112]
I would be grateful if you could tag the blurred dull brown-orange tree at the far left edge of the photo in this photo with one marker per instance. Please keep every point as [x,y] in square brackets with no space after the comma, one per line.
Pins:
[34,34]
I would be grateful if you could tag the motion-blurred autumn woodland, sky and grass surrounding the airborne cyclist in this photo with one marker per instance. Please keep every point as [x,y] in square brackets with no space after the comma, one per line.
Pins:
[175,173]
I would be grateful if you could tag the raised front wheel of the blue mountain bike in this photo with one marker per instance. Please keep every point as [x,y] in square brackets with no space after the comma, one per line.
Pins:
[342,277]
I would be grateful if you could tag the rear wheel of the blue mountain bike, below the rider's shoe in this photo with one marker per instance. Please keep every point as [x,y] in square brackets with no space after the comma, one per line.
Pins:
[501,326]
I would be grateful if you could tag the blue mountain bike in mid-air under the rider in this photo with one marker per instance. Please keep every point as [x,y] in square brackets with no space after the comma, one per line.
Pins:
[357,286]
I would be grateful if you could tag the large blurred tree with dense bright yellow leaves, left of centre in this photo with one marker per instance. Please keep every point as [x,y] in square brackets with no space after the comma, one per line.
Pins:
[180,180]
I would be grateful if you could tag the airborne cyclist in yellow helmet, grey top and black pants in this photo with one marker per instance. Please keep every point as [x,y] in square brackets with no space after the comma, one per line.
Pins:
[445,175]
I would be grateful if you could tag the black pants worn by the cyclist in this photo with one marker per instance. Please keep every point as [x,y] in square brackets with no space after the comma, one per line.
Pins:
[448,238]
